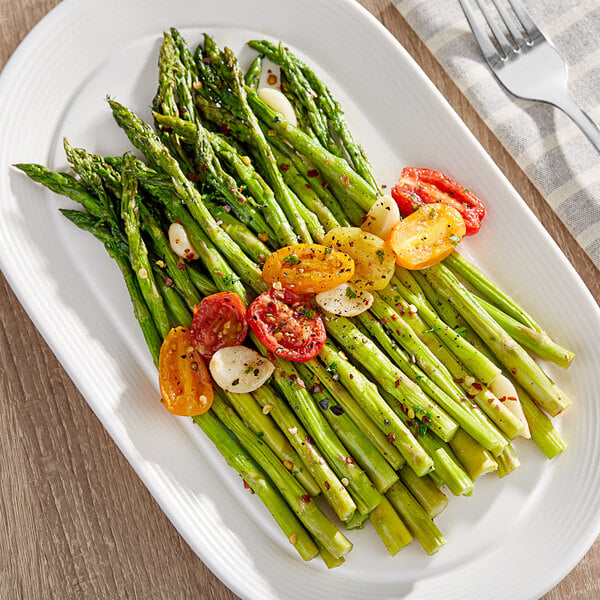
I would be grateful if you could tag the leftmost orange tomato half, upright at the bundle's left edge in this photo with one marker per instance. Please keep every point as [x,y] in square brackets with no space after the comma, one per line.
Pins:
[185,384]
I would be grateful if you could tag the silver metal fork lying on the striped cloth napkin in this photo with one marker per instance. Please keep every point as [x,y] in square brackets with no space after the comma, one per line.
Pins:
[529,68]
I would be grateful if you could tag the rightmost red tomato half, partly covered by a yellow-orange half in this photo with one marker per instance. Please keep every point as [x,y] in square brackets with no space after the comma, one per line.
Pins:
[424,186]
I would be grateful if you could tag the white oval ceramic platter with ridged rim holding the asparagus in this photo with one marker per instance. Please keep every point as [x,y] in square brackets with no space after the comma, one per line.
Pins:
[514,538]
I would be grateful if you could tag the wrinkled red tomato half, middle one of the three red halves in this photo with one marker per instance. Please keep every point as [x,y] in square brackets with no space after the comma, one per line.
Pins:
[286,325]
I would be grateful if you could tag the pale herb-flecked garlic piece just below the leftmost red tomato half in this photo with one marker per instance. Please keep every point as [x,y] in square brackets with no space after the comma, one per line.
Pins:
[239,369]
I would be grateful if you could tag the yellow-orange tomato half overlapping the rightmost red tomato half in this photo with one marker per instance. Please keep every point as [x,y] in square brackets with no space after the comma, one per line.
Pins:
[427,236]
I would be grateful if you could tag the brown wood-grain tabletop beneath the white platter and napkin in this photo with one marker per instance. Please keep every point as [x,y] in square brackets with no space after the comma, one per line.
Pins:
[76,522]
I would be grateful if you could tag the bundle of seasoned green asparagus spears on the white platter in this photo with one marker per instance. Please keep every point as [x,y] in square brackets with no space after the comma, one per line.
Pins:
[386,413]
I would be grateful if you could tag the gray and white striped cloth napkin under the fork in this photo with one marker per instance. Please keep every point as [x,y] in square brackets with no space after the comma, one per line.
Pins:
[550,149]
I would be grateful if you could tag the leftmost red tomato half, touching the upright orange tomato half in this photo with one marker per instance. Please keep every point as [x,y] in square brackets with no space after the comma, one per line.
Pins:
[219,321]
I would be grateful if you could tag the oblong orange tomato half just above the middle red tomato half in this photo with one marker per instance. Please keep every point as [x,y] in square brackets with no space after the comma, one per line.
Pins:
[308,268]
